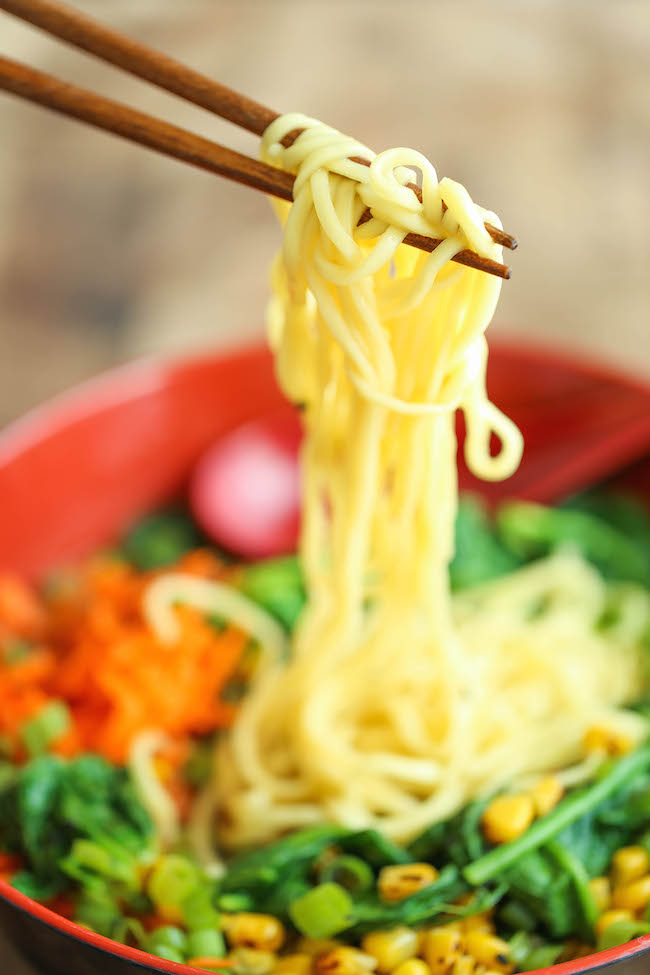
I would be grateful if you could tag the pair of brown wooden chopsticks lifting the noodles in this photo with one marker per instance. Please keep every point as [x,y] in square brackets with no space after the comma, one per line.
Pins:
[165,72]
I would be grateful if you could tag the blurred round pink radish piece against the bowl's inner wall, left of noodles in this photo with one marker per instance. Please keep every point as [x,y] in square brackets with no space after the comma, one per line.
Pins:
[245,490]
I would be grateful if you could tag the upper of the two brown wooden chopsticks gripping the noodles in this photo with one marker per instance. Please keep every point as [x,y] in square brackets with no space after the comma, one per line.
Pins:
[145,62]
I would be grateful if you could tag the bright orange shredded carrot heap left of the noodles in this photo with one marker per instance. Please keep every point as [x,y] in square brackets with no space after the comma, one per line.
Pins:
[100,657]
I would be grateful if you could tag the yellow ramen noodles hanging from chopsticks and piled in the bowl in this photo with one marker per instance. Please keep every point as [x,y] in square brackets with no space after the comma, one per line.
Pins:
[395,706]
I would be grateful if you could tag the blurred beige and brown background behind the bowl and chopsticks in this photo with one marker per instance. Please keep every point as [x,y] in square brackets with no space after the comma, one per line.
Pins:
[541,108]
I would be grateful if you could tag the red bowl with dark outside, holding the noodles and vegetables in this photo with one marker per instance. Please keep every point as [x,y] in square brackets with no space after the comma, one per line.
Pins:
[76,471]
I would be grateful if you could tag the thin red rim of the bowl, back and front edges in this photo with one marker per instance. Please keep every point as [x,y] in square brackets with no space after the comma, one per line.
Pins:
[130,381]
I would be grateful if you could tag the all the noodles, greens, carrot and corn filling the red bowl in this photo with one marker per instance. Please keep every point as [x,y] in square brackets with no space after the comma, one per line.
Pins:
[416,746]
